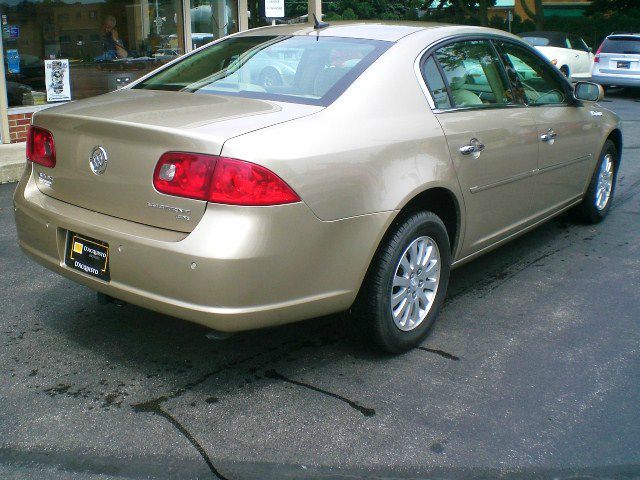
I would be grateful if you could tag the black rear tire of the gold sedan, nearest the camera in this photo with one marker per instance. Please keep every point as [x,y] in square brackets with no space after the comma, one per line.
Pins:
[373,307]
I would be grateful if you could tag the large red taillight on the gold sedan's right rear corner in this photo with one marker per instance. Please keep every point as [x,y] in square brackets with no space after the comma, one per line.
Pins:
[220,180]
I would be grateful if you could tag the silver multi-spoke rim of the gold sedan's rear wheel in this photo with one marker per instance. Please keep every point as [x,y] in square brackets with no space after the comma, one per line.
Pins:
[415,283]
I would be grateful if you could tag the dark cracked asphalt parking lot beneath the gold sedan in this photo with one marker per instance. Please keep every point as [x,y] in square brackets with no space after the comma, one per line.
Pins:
[531,371]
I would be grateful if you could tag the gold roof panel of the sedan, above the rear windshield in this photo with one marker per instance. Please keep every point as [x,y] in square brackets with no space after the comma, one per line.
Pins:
[390,31]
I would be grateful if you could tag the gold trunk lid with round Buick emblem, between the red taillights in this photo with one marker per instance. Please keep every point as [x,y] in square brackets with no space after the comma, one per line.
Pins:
[134,128]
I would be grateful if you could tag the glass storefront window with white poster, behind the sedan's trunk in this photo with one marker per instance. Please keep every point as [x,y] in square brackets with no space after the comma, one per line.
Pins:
[103,45]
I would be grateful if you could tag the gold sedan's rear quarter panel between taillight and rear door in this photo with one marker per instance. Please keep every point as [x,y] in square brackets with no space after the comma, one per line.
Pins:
[372,150]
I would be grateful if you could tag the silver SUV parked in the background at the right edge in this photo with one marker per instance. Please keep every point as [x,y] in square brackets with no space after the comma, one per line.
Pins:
[617,61]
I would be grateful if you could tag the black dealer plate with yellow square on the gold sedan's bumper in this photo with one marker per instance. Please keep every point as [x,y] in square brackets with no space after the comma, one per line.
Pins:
[87,255]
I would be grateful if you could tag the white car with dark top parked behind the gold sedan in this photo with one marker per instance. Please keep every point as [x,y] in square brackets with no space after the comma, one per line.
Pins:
[569,53]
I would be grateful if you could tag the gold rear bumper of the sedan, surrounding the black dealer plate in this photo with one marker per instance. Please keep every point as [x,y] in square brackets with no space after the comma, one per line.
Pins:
[241,267]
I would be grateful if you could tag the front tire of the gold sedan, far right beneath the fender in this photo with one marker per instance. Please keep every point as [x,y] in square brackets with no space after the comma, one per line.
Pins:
[593,208]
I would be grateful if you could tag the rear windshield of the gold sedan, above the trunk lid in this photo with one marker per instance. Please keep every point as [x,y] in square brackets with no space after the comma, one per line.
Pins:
[300,69]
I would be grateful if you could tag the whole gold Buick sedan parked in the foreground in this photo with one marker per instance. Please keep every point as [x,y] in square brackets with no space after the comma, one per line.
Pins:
[350,177]
